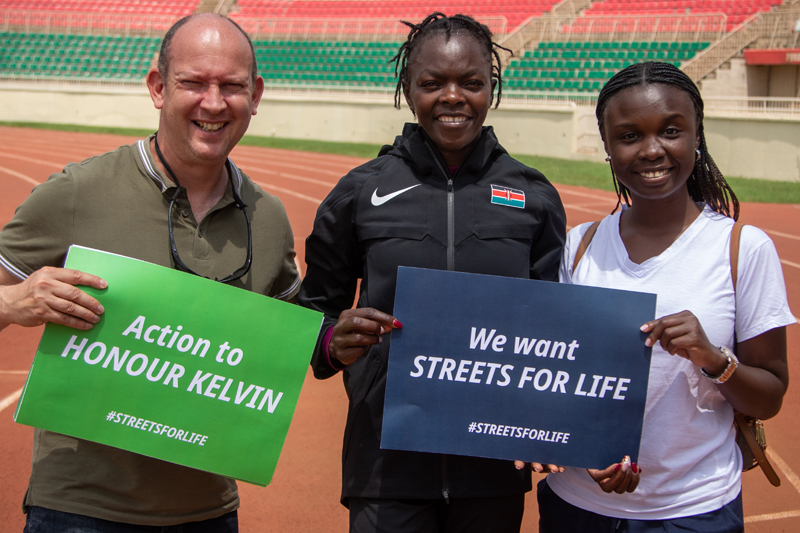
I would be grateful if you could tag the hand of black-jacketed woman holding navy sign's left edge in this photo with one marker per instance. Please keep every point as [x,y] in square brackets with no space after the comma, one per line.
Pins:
[357,330]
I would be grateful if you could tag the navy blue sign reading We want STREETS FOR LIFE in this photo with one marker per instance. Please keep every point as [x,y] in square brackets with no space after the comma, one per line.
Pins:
[516,369]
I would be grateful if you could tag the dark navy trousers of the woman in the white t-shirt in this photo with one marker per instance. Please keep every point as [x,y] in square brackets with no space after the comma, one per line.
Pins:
[558,516]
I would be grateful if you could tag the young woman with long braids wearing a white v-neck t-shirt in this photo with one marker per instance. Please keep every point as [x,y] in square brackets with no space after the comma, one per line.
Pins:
[672,238]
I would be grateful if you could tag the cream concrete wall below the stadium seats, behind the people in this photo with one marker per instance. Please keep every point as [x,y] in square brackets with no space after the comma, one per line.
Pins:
[756,148]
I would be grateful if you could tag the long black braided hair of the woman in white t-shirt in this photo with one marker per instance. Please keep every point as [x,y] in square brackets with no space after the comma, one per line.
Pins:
[706,184]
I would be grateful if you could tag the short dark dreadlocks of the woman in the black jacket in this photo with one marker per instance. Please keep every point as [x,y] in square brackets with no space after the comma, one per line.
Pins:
[434,24]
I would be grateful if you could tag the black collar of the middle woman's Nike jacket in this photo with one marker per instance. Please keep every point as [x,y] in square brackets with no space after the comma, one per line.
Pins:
[415,146]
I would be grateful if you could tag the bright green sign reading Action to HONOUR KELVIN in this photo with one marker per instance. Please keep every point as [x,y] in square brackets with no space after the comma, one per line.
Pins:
[179,368]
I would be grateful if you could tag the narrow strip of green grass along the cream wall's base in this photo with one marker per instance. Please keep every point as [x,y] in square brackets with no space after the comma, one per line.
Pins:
[566,171]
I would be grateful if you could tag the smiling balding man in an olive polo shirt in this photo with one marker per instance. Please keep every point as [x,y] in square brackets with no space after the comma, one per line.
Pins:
[174,199]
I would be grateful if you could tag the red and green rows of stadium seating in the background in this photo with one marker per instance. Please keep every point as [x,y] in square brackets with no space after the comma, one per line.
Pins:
[583,53]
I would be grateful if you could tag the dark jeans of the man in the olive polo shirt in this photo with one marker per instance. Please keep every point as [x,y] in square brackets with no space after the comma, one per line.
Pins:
[41,520]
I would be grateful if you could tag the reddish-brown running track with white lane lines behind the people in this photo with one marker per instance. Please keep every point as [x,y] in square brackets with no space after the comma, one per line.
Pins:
[304,494]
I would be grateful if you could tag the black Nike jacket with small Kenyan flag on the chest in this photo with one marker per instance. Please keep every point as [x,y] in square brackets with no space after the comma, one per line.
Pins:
[405,208]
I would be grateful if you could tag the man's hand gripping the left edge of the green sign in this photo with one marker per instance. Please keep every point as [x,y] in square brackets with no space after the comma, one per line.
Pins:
[49,295]
